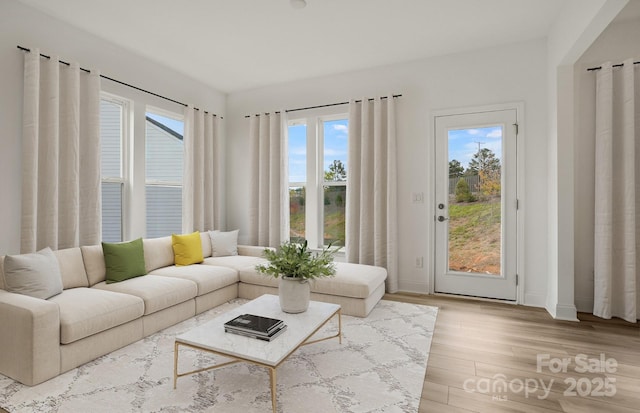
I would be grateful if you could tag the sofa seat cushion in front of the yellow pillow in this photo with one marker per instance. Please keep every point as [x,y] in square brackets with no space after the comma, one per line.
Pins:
[208,278]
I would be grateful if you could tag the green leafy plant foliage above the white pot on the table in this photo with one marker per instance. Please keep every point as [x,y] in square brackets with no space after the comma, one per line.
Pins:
[296,260]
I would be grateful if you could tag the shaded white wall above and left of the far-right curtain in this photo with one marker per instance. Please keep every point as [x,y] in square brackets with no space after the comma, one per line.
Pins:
[618,42]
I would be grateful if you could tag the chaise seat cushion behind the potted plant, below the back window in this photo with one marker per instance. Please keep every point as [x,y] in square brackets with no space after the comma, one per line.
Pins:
[351,280]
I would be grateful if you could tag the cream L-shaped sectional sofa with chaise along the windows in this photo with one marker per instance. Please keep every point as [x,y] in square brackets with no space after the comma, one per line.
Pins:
[42,338]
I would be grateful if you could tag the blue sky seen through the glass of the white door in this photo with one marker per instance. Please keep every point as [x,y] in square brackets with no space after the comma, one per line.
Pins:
[463,143]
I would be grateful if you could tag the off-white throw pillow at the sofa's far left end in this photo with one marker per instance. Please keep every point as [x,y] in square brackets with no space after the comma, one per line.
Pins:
[36,275]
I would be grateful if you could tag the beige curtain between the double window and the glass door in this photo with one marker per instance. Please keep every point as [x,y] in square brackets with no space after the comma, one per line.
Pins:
[371,221]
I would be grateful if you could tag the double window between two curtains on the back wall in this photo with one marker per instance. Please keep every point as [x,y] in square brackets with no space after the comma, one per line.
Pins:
[318,179]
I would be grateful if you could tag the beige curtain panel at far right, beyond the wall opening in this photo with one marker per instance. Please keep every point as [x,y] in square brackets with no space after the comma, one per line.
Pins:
[617,192]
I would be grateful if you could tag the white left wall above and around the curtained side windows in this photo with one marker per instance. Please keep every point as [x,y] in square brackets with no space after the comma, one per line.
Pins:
[21,25]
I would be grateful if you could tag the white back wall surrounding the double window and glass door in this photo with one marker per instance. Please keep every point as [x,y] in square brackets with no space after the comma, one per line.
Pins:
[515,73]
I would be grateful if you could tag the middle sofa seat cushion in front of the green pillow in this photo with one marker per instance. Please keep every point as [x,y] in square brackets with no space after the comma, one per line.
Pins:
[157,292]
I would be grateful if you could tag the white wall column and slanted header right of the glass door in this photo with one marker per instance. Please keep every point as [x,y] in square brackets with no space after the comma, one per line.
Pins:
[576,27]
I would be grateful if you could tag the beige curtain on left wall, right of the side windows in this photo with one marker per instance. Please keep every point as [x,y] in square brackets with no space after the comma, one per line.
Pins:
[202,191]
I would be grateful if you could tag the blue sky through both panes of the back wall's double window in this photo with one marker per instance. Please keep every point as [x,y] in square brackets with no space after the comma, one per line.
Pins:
[335,147]
